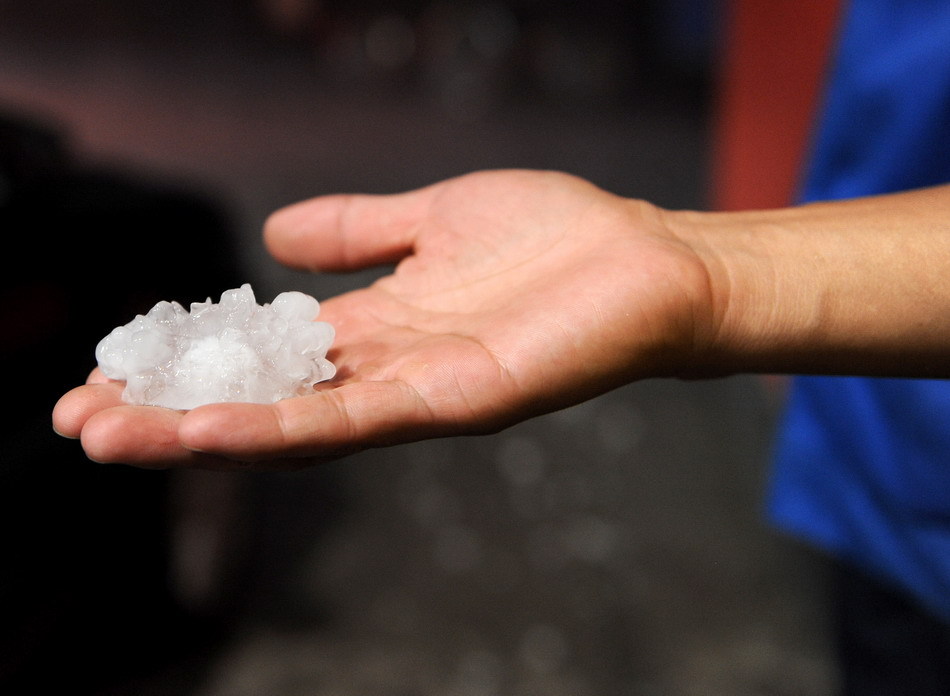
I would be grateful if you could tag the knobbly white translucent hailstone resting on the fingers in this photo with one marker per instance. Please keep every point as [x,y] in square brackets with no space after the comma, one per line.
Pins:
[236,350]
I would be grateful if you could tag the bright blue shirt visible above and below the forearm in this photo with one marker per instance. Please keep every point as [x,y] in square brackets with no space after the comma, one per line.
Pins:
[863,465]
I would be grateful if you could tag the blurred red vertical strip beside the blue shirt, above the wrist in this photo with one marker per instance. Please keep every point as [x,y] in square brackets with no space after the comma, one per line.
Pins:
[774,61]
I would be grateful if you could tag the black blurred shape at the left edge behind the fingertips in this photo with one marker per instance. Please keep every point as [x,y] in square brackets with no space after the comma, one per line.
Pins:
[84,577]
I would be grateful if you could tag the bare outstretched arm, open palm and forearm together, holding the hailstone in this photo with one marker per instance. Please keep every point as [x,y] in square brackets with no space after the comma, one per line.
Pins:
[517,293]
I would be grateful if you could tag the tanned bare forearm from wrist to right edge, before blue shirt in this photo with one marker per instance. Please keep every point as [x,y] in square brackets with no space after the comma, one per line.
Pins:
[856,287]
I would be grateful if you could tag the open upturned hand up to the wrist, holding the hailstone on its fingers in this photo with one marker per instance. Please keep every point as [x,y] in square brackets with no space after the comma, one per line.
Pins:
[515,293]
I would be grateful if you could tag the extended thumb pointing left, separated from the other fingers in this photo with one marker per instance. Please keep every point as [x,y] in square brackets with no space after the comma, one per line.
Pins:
[346,232]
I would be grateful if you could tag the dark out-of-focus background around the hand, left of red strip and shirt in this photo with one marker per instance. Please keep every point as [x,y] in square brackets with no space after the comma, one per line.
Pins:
[615,548]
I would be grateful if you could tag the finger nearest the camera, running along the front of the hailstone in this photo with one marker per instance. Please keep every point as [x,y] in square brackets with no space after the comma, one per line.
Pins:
[329,423]
